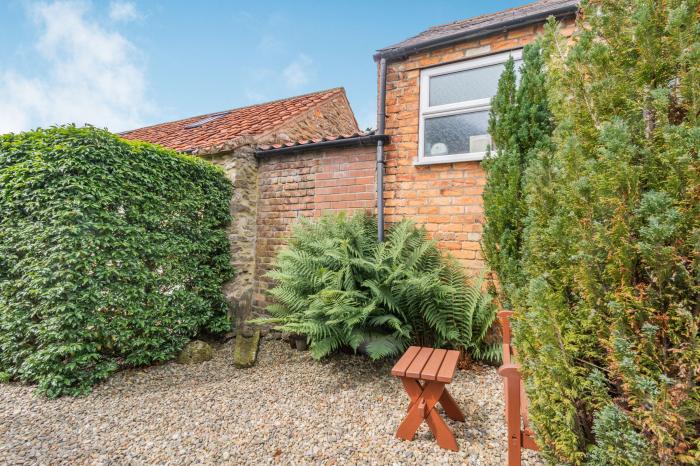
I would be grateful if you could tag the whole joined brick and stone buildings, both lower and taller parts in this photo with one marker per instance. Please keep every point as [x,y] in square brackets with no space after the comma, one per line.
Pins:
[302,156]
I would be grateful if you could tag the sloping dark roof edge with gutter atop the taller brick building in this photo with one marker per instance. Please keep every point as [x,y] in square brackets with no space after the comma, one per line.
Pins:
[399,53]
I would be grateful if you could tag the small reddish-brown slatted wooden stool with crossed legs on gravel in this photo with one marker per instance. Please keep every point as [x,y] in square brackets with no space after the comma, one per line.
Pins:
[424,373]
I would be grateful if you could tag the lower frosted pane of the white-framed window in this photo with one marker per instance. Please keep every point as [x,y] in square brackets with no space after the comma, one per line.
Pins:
[456,134]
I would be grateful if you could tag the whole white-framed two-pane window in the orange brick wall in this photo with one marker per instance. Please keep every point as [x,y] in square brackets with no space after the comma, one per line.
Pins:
[455,100]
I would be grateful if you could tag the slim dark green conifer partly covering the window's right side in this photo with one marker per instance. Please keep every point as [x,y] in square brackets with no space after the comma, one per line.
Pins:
[520,124]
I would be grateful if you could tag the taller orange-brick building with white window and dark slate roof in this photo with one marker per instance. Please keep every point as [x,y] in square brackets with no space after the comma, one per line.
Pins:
[438,90]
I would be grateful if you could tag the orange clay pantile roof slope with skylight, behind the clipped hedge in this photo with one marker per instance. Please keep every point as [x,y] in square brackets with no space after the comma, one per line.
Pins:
[216,128]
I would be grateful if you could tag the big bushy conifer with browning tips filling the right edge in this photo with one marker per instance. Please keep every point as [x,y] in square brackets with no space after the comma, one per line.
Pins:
[607,317]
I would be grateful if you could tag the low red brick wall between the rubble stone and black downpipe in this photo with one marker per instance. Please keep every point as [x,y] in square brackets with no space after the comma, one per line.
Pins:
[306,185]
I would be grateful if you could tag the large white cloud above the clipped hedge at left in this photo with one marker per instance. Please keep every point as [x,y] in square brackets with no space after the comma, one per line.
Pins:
[91,75]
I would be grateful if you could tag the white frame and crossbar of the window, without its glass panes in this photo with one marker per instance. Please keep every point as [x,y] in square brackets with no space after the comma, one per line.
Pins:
[457,108]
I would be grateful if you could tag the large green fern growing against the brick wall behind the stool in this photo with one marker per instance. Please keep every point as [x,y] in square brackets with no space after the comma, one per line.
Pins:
[340,287]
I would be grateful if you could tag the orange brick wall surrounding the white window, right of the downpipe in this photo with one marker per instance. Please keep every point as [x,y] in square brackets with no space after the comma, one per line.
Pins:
[445,198]
